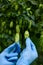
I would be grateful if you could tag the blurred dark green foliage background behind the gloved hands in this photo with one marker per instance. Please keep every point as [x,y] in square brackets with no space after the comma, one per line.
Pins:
[29,15]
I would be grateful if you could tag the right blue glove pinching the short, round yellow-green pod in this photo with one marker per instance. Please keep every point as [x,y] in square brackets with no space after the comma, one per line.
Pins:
[29,54]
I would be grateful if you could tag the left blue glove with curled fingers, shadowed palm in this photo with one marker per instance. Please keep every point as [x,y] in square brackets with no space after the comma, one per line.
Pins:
[10,55]
